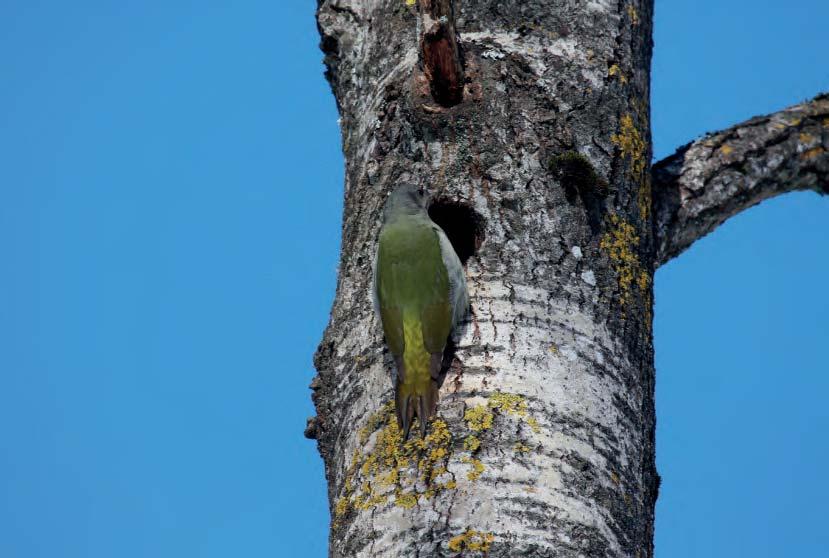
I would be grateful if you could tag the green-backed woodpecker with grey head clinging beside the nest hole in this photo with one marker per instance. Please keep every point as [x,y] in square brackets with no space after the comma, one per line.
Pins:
[418,296]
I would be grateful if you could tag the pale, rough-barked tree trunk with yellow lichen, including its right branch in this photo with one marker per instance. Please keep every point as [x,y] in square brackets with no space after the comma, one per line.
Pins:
[528,121]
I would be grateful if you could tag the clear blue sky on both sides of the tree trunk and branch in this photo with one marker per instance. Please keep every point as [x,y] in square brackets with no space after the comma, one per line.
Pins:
[171,182]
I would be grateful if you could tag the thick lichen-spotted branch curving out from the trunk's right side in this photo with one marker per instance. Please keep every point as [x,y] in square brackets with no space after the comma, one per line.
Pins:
[709,180]
